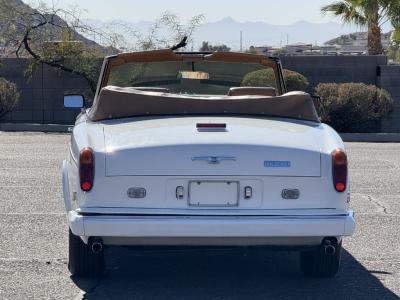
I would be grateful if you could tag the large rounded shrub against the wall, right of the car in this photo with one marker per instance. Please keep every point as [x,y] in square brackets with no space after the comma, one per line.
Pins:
[353,107]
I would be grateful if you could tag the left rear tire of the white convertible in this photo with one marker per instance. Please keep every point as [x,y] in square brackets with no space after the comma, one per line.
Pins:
[82,261]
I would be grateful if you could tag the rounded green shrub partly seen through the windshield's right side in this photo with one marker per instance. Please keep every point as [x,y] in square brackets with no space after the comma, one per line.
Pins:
[294,81]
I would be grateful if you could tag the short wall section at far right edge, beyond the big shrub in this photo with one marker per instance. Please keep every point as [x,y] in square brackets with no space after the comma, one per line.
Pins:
[390,81]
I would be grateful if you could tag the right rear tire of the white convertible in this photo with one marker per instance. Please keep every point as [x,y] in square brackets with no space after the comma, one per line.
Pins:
[320,265]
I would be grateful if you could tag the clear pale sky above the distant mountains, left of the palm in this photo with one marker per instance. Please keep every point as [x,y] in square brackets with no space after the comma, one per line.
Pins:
[269,11]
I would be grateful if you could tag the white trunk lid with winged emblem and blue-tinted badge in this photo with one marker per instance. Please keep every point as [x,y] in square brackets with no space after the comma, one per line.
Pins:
[176,147]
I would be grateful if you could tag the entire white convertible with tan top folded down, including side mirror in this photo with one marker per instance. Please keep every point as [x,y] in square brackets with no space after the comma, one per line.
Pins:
[203,149]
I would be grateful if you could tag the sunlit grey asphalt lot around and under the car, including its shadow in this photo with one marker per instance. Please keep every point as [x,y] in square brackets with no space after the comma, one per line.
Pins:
[33,240]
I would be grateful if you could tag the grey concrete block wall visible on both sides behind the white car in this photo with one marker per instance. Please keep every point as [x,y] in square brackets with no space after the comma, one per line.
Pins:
[42,96]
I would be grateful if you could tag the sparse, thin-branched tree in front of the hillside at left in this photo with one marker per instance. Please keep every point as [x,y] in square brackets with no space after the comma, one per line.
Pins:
[58,37]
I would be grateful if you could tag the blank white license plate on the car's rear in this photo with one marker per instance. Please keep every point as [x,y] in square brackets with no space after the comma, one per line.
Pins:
[214,193]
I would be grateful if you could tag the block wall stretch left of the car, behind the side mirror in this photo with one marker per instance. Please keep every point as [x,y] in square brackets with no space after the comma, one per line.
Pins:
[41,99]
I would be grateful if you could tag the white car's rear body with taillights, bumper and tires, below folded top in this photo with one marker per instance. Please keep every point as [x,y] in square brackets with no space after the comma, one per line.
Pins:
[207,181]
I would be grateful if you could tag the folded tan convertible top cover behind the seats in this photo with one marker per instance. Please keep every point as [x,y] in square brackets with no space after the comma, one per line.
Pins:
[115,102]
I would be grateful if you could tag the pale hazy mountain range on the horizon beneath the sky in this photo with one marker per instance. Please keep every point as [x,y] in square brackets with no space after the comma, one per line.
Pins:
[227,31]
